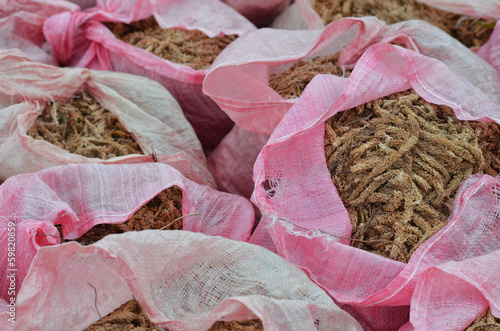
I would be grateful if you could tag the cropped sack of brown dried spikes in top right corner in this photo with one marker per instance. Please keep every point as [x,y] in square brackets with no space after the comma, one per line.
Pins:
[473,29]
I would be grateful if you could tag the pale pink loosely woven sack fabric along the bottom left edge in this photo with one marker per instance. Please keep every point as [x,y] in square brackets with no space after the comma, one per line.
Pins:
[227,280]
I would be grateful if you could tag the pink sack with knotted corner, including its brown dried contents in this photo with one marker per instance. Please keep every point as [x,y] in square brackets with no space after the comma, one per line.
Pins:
[173,43]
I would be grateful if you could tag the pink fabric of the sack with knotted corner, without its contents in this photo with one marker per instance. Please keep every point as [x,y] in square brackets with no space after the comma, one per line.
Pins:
[81,40]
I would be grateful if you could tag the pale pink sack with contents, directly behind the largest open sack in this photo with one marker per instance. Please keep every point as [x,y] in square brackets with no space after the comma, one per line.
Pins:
[256,82]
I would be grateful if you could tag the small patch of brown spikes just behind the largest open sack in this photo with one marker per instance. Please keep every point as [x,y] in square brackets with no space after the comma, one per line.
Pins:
[292,82]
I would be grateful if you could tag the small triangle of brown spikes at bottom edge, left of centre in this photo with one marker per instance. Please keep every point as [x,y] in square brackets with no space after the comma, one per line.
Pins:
[130,316]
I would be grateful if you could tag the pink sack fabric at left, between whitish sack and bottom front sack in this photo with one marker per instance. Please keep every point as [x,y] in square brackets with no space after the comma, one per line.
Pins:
[79,196]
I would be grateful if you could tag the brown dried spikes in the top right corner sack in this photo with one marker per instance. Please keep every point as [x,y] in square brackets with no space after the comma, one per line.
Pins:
[470,32]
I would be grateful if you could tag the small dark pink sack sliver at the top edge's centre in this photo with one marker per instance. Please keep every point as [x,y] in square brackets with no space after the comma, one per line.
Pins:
[259,12]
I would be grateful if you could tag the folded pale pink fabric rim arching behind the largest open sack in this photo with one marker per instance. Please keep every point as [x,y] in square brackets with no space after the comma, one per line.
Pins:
[239,78]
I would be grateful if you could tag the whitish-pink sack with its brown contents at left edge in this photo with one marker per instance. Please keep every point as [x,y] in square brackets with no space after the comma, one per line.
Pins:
[56,116]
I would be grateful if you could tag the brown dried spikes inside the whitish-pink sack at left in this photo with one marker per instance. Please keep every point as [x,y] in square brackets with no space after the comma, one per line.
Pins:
[82,126]
